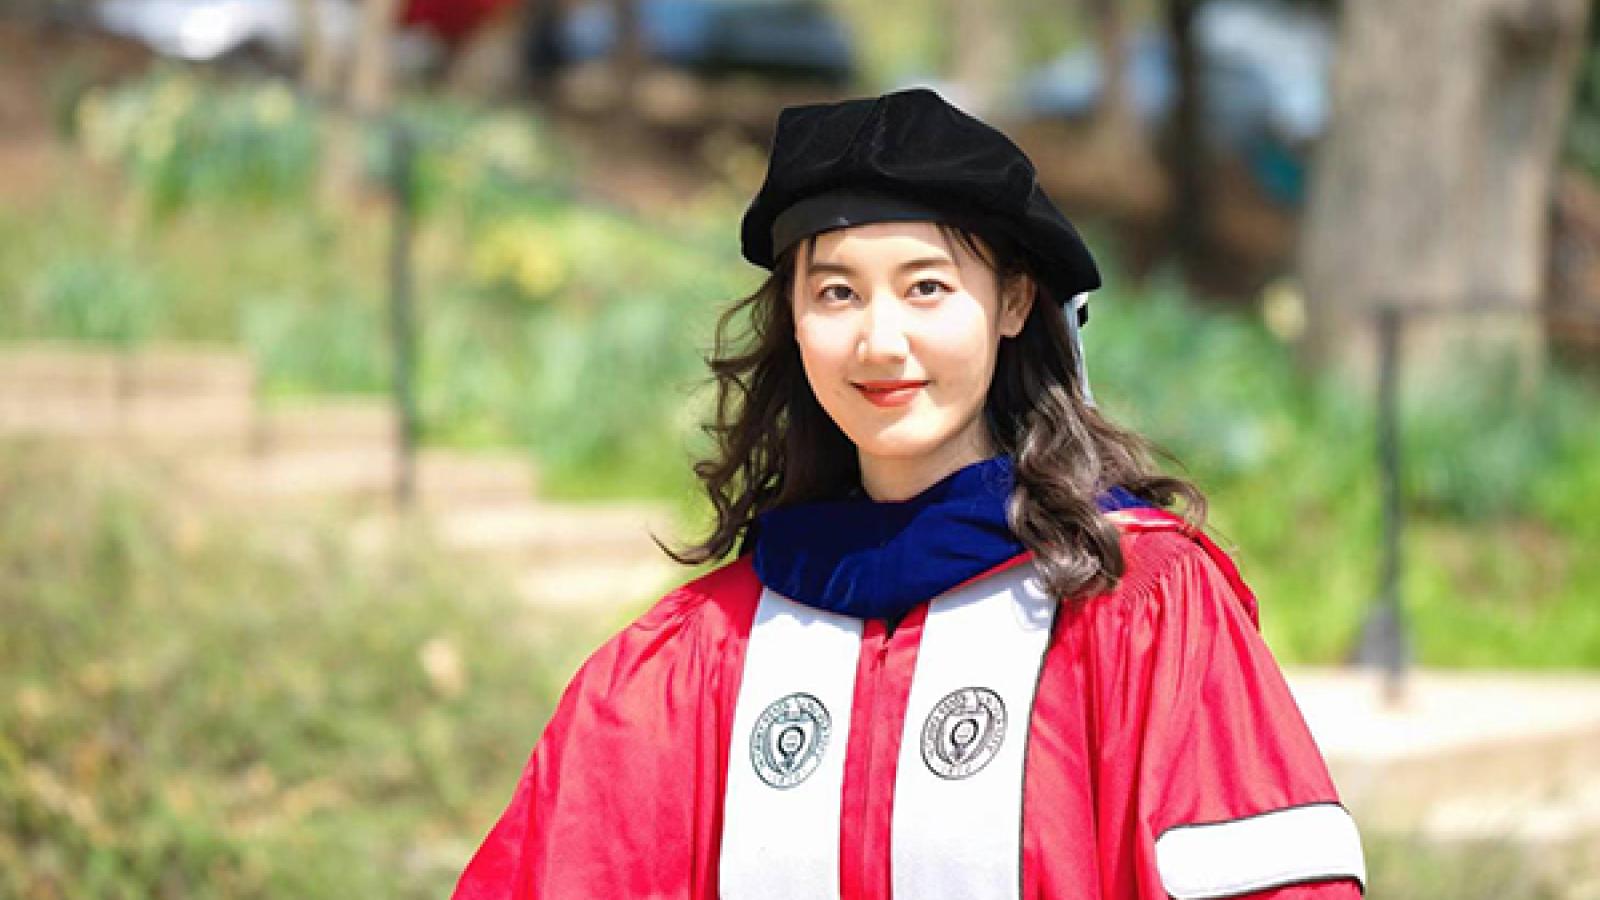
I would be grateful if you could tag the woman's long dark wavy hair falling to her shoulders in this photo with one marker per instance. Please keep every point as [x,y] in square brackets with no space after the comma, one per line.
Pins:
[774,444]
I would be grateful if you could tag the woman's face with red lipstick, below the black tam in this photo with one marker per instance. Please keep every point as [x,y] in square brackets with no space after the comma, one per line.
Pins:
[898,331]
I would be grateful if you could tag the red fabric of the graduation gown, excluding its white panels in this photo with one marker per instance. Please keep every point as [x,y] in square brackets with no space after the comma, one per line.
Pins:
[1159,707]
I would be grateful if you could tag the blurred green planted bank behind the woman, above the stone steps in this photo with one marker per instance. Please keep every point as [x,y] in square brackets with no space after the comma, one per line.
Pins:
[577,332]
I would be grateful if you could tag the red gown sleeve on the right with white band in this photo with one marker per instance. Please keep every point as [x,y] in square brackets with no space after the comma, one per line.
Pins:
[1210,784]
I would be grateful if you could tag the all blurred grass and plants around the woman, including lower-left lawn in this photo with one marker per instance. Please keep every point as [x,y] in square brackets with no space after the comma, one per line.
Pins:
[194,705]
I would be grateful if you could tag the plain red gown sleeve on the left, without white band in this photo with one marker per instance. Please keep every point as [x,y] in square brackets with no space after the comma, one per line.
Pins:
[622,795]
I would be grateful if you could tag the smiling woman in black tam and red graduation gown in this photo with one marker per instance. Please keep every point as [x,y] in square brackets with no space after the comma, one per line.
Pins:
[964,649]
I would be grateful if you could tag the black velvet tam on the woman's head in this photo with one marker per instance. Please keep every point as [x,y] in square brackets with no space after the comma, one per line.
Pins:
[908,156]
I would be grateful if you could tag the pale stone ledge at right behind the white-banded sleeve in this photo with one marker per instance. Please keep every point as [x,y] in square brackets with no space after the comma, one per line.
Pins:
[1458,741]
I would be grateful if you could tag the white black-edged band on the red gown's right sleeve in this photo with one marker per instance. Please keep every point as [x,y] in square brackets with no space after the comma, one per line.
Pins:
[1279,848]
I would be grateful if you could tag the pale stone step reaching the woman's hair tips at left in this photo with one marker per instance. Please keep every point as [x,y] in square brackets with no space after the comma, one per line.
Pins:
[542,532]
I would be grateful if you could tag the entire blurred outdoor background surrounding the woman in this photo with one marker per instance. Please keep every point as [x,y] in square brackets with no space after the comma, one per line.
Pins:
[353,350]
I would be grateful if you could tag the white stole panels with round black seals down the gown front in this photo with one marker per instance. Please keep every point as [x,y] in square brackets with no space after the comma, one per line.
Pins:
[958,821]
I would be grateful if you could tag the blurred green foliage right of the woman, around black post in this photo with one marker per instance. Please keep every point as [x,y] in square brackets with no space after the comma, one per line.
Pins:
[1500,486]
